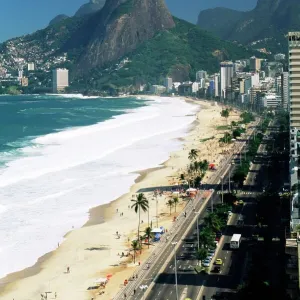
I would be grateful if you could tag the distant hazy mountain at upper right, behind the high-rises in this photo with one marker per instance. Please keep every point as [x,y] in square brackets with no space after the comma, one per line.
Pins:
[264,26]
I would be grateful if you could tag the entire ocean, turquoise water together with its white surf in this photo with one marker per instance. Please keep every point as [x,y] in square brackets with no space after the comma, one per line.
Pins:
[62,155]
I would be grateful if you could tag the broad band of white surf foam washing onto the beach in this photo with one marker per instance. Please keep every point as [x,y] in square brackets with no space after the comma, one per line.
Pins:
[50,189]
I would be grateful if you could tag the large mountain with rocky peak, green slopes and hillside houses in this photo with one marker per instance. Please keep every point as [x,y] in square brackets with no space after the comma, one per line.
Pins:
[126,42]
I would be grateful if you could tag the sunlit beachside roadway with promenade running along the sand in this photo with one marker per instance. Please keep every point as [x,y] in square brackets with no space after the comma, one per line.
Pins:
[161,260]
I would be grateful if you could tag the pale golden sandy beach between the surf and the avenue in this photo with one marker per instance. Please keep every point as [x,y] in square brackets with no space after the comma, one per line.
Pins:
[94,251]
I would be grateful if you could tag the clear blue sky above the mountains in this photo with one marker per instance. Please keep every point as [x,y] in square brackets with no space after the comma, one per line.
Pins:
[18,17]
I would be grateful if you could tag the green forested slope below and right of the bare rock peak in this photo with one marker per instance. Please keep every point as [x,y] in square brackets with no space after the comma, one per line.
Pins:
[178,52]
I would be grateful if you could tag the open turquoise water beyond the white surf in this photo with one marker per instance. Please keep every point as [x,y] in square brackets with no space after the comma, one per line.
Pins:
[23,118]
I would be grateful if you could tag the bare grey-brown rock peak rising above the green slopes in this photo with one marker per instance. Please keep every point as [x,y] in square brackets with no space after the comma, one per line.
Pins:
[122,26]
